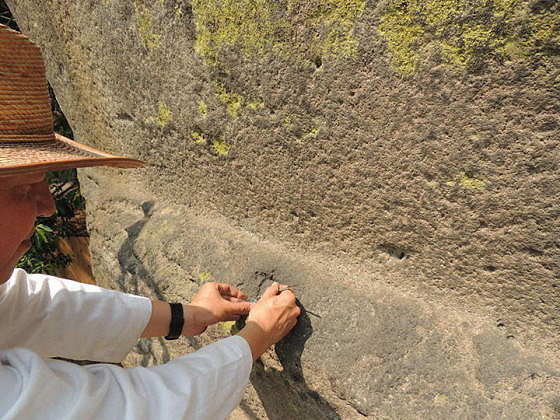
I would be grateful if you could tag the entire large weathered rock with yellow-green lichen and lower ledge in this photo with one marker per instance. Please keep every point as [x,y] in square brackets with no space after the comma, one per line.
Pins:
[397,160]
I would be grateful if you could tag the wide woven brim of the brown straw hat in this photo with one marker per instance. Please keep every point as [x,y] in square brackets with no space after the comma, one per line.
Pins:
[58,154]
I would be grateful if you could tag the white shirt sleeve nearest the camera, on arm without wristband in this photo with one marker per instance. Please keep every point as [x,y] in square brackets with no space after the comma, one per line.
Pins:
[205,385]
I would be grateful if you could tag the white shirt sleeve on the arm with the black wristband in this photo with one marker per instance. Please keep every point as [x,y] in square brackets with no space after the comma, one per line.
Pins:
[64,318]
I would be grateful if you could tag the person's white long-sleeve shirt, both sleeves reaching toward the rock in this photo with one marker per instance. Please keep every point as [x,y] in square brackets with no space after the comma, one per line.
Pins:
[43,316]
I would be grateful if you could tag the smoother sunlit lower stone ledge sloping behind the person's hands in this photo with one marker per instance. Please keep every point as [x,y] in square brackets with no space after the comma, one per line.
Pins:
[372,352]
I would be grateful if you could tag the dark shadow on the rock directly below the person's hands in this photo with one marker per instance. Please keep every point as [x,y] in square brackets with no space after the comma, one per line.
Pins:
[285,394]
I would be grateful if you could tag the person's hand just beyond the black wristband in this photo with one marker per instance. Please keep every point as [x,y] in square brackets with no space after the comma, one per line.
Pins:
[214,302]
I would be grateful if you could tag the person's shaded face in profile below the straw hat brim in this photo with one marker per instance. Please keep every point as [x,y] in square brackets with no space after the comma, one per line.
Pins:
[23,198]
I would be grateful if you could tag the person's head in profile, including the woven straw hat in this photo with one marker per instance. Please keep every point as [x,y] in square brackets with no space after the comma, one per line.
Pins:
[29,147]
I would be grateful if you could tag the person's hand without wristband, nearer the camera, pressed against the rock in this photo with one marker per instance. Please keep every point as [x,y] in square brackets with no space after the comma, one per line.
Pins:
[270,319]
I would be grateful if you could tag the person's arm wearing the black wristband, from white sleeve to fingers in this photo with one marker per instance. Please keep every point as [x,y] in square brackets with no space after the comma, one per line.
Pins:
[64,318]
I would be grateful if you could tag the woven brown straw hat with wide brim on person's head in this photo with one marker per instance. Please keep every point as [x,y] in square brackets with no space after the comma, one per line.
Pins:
[27,140]
